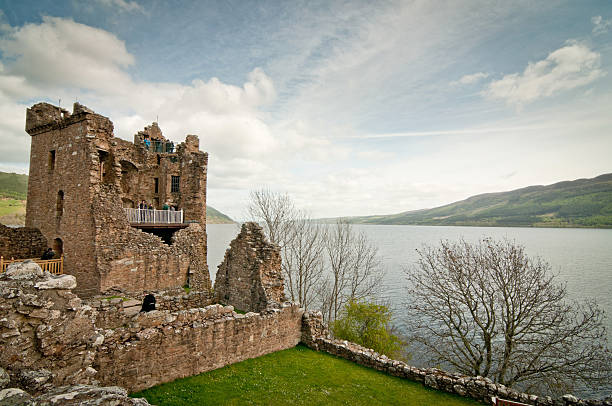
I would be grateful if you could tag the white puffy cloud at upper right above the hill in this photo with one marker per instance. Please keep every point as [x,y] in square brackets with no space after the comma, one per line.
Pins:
[569,67]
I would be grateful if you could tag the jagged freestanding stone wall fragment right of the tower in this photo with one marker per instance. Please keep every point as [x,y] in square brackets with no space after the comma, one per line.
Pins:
[250,278]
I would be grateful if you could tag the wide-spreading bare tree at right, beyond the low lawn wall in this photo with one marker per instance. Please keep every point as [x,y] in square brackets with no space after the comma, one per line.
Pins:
[487,309]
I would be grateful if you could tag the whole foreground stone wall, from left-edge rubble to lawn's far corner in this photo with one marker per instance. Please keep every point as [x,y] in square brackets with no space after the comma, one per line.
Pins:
[50,337]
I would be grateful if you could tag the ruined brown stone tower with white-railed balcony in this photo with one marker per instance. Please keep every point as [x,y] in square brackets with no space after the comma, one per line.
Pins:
[84,181]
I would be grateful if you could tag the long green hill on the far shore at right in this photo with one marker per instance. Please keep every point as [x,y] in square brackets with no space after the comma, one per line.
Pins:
[578,203]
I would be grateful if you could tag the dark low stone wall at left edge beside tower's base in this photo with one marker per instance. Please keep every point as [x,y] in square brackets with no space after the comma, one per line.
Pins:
[21,243]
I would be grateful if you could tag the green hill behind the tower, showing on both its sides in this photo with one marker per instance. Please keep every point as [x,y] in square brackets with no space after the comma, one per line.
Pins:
[14,191]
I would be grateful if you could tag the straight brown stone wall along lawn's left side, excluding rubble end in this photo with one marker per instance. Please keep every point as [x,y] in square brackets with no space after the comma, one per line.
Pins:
[161,346]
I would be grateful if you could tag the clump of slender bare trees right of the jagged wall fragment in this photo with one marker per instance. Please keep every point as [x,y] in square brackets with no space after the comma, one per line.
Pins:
[323,266]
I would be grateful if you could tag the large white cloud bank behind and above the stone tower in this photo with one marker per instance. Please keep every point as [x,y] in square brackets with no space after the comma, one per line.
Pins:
[60,58]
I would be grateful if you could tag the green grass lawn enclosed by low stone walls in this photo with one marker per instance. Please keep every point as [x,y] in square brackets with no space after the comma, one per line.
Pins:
[298,376]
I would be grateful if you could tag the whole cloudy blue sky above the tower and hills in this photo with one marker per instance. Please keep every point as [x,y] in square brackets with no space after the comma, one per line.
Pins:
[351,107]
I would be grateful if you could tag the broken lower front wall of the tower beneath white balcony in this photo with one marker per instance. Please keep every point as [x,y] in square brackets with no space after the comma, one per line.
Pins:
[131,261]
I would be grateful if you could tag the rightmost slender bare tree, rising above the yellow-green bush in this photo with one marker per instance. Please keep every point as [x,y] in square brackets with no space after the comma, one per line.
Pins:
[354,271]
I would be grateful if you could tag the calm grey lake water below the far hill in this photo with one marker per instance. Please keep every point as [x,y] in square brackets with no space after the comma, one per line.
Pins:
[580,257]
